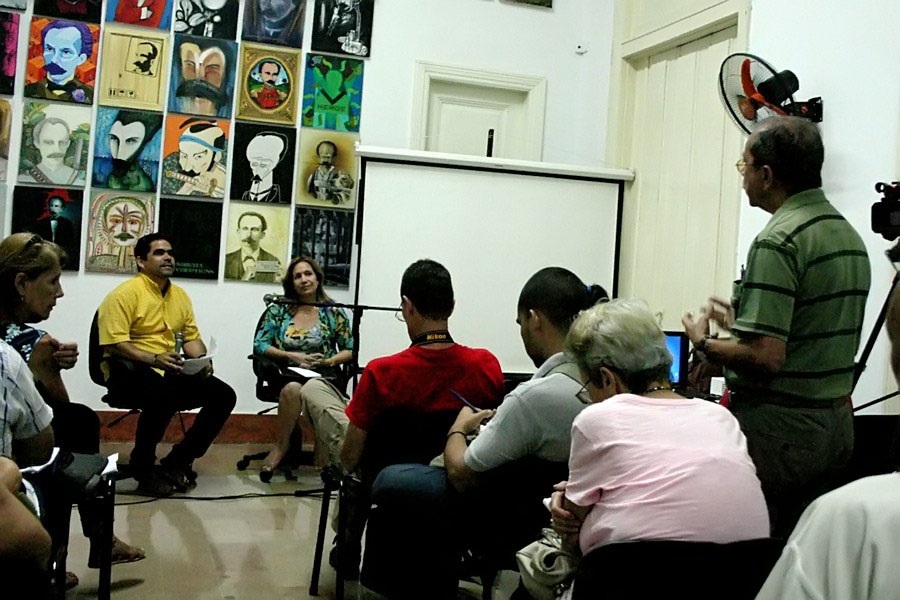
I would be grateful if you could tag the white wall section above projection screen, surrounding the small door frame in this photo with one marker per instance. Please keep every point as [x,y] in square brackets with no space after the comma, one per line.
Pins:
[499,36]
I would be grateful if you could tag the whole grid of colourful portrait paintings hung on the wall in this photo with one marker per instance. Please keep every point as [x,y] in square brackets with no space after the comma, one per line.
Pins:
[207,119]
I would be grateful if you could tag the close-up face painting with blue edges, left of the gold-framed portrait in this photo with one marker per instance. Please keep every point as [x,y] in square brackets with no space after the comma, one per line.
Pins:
[202,81]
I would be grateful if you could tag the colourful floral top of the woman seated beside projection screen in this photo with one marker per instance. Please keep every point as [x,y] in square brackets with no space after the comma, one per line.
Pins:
[329,335]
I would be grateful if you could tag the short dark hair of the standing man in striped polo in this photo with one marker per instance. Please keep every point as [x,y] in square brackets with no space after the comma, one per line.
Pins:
[793,149]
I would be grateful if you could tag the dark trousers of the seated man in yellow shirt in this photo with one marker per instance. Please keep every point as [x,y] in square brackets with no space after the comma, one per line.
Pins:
[159,398]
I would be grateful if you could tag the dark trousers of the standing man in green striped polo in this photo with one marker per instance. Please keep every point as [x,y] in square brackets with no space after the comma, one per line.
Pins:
[799,453]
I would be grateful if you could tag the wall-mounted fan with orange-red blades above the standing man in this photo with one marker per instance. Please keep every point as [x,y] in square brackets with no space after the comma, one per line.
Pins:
[753,90]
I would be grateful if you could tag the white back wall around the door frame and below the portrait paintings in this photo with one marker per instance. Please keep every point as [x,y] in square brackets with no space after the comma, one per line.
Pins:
[486,34]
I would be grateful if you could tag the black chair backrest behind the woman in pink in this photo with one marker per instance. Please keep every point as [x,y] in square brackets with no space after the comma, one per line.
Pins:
[676,569]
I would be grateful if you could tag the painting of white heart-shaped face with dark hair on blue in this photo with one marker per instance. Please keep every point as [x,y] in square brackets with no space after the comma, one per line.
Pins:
[127,145]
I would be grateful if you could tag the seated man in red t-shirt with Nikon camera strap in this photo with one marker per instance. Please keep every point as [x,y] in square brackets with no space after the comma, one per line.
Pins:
[419,378]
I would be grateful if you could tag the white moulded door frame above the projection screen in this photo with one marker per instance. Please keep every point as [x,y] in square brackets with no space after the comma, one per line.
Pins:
[534,88]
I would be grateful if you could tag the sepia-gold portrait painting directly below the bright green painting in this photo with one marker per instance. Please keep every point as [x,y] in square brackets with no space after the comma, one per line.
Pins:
[327,169]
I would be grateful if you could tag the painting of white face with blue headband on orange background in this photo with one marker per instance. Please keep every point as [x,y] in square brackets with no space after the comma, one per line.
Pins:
[195,151]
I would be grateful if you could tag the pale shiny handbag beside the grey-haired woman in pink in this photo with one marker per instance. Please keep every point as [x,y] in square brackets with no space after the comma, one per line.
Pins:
[545,567]
